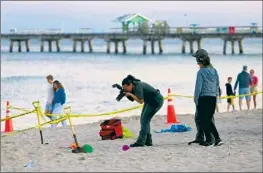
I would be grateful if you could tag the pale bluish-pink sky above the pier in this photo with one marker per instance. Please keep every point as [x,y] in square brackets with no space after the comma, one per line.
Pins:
[99,15]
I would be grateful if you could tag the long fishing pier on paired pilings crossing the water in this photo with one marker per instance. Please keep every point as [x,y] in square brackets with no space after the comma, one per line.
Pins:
[188,35]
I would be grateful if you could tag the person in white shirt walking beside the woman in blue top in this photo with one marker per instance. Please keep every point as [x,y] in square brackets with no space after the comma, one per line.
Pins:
[50,95]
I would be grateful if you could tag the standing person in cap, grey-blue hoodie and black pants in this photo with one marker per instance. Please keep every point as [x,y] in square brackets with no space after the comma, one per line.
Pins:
[206,92]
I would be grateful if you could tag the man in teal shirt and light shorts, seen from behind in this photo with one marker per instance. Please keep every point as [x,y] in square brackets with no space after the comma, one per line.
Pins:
[243,80]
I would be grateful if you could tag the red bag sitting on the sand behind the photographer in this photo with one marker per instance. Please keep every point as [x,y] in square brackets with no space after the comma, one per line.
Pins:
[111,129]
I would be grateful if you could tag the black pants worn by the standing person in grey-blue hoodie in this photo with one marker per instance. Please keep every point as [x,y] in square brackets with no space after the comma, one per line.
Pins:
[206,109]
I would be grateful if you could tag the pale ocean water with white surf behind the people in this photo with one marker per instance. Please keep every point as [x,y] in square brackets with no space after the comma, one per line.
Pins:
[87,78]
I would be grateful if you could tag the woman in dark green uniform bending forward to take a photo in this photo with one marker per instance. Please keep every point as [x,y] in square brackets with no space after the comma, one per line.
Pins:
[153,101]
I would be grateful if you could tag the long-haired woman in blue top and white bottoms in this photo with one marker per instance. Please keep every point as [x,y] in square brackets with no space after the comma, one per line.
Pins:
[58,101]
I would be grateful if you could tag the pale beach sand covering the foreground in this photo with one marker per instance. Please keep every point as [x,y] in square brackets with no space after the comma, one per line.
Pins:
[242,151]
